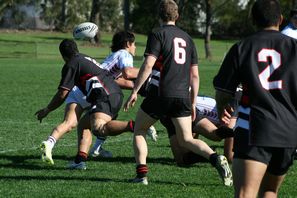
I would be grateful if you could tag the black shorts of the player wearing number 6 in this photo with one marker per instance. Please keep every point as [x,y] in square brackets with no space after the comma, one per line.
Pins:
[158,107]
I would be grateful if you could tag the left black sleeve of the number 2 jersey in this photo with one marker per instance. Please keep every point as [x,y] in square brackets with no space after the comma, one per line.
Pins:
[227,78]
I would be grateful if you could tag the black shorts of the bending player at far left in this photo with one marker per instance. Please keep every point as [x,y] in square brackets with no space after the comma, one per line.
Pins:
[109,105]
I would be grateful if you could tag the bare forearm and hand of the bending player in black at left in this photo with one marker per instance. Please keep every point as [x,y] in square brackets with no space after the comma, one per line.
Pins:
[56,102]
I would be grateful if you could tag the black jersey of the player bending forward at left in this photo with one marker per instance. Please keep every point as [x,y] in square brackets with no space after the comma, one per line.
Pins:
[81,68]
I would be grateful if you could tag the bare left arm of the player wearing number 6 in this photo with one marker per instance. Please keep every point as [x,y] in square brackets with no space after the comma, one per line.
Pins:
[144,72]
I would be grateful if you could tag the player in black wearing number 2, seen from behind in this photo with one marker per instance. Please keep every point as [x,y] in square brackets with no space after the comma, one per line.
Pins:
[265,136]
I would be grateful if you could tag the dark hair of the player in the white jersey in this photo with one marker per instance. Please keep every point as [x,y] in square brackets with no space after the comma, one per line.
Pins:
[120,39]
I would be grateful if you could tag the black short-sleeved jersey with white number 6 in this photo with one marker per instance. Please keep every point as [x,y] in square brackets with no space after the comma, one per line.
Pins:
[176,53]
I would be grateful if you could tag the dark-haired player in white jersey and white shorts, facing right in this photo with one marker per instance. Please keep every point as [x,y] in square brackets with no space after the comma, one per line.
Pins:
[120,65]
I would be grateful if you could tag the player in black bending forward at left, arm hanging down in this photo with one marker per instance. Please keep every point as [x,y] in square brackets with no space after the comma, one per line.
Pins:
[103,93]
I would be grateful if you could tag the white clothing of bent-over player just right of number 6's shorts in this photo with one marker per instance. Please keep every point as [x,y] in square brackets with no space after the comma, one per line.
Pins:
[206,108]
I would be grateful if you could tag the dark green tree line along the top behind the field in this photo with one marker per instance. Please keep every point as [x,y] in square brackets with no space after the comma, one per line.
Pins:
[202,18]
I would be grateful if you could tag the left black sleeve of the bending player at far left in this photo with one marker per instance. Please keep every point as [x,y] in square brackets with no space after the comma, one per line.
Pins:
[68,78]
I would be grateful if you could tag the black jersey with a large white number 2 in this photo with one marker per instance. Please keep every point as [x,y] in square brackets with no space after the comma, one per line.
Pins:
[266,66]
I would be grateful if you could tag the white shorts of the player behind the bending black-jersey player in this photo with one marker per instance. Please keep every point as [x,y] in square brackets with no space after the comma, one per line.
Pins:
[76,96]
